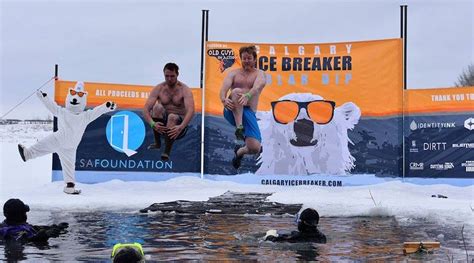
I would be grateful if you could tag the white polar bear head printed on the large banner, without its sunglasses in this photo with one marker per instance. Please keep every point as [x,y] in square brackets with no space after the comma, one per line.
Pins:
[302,146]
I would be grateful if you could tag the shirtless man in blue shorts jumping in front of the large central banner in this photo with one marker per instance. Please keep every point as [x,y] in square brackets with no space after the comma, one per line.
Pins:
[240,105]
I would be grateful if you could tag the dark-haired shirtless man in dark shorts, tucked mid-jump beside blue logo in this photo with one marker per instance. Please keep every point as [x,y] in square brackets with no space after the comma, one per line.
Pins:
[169,109]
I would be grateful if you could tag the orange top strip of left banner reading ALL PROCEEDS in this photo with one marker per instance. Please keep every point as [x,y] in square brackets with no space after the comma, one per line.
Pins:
[125,96]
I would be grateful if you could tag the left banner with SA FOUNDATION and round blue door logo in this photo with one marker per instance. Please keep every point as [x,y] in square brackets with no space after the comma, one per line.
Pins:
[115,145]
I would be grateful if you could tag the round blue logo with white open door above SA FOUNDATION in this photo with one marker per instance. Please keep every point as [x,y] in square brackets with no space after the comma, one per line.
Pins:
[125,132]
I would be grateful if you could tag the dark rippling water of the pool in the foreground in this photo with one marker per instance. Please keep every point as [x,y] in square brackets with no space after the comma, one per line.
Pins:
[224,237]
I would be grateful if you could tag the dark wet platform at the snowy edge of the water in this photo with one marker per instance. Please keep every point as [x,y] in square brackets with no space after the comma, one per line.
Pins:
[228,203]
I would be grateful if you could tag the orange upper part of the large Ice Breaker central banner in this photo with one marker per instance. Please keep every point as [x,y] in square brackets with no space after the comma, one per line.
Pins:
[367,73]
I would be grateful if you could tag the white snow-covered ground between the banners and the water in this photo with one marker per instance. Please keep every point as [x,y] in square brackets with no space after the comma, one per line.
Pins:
[31,182]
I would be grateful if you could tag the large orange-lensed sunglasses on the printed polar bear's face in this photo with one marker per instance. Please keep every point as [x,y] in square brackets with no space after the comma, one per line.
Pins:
[286,111]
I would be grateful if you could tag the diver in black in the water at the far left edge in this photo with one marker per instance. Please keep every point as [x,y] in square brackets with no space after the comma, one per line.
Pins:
[15,227]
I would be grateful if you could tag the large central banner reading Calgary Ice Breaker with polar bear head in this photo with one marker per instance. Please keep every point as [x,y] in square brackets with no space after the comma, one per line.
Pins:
[331,109]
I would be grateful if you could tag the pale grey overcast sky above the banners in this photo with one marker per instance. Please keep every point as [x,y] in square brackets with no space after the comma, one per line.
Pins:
[130,41]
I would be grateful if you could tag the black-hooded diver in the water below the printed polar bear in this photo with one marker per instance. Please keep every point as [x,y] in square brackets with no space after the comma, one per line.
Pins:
[307,230]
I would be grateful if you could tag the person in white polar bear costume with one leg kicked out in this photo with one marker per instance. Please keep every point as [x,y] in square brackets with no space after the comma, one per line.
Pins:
[72,122]
